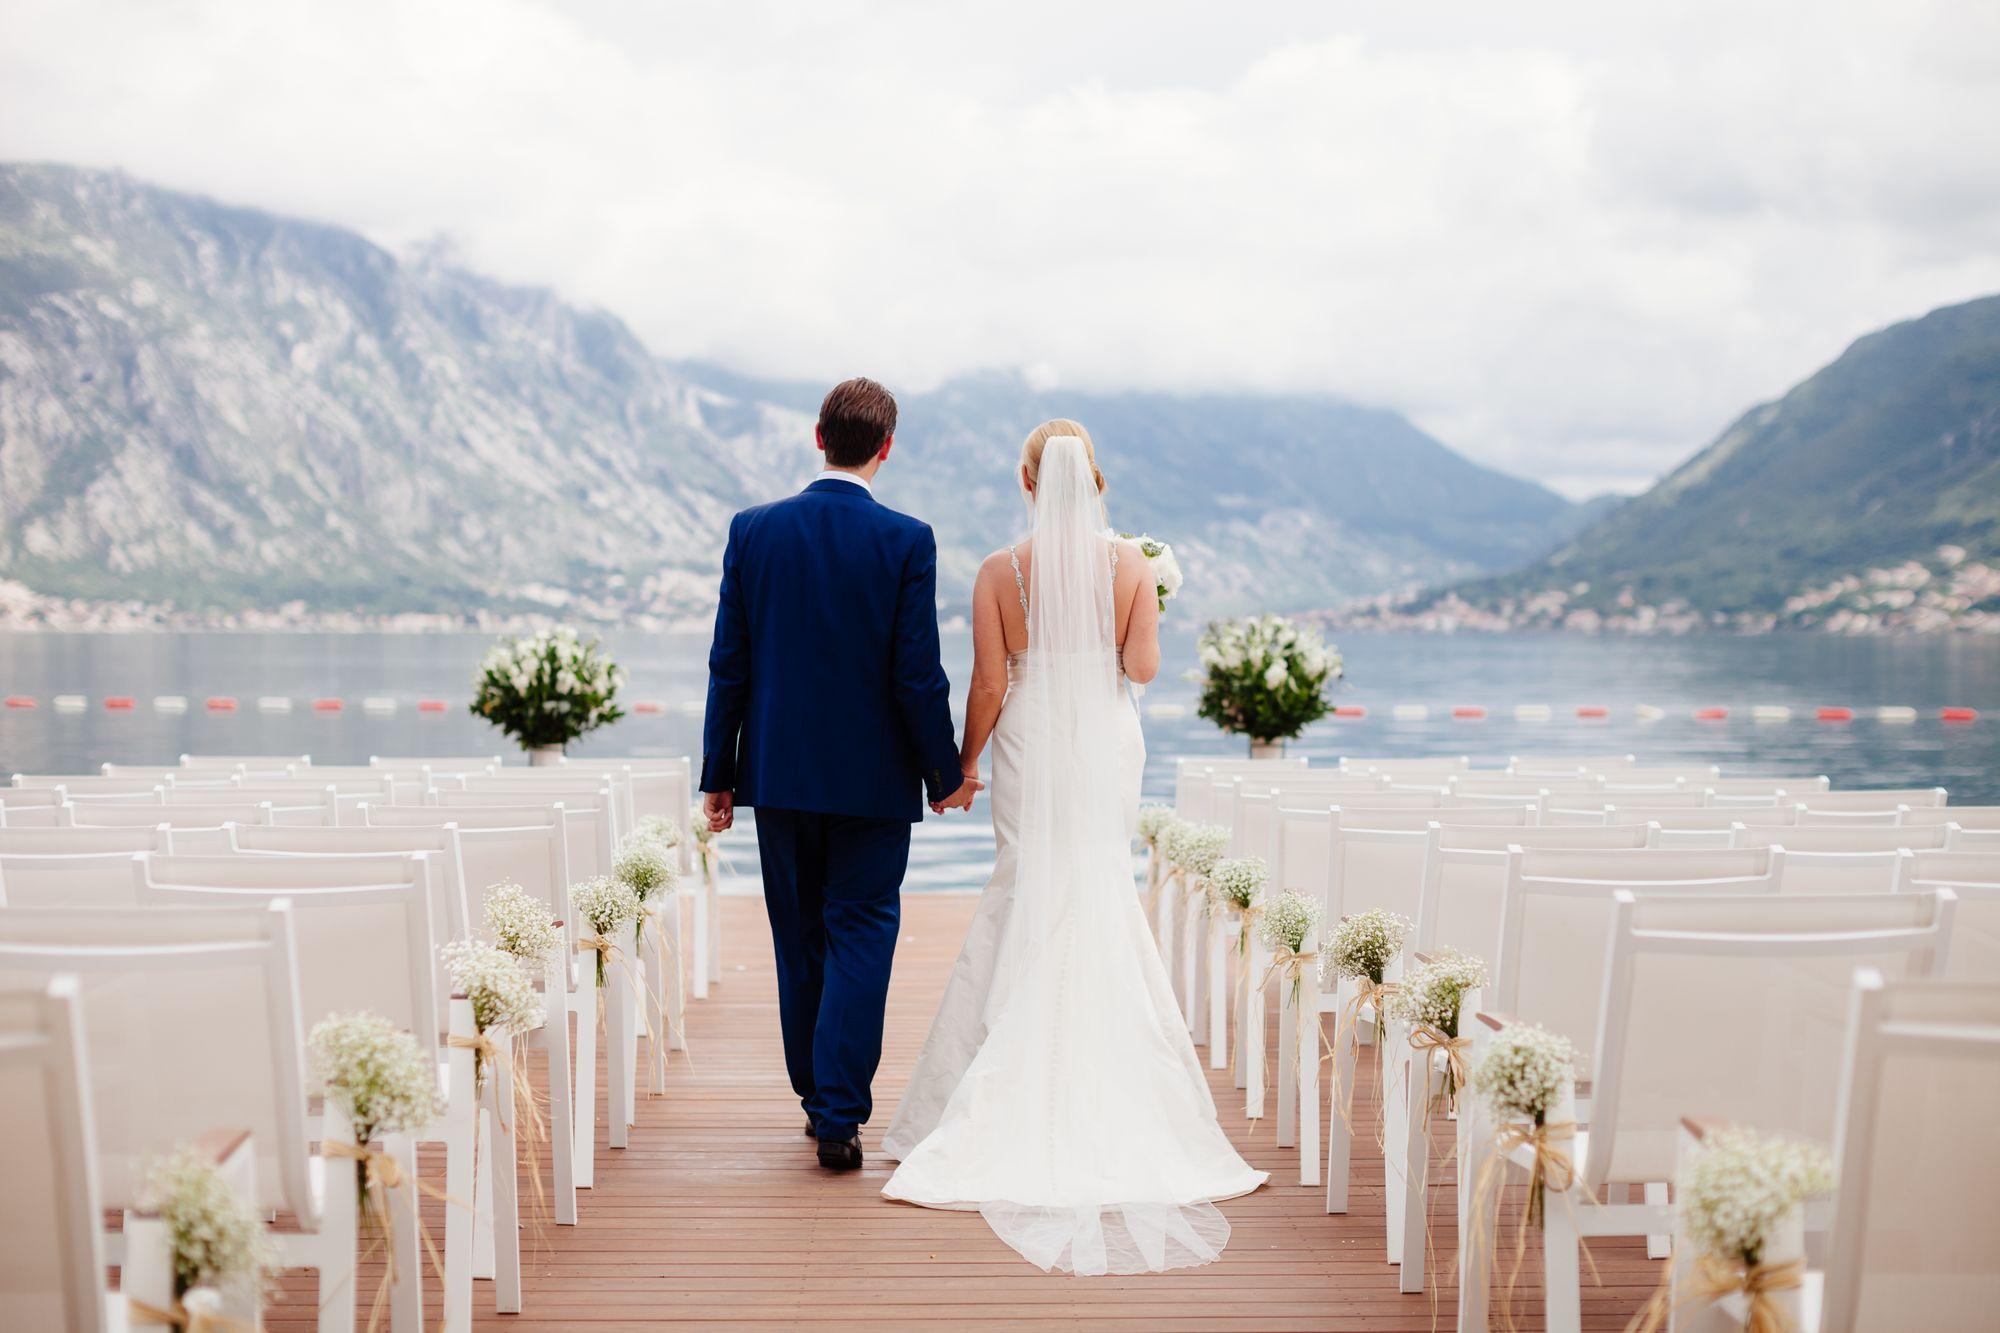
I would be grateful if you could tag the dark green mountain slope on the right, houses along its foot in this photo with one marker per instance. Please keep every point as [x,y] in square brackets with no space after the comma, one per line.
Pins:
[1871,489]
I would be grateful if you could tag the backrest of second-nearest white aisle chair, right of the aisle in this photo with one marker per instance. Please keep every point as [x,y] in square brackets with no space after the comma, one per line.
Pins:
[1737,1006]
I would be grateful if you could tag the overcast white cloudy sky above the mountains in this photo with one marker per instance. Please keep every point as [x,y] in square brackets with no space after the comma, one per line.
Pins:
[1569,239]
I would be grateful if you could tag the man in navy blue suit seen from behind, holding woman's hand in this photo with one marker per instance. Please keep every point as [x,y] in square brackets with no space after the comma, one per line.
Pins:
[829,714]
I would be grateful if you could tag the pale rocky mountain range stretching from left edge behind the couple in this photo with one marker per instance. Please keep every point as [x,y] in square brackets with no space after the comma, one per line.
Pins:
[215,409]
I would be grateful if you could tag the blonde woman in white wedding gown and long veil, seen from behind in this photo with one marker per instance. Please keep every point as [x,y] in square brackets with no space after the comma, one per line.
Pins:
[1059,1094]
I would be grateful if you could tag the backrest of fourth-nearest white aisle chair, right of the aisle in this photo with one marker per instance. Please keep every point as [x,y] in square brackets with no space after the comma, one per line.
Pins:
[1465,878]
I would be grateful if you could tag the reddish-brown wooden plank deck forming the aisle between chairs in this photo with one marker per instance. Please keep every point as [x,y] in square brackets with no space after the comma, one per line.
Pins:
[717,1214]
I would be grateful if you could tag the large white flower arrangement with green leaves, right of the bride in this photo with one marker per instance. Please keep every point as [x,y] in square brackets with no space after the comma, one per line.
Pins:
[1265,678]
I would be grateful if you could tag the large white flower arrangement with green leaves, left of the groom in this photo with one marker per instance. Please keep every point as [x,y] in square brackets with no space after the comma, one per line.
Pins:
[547,690]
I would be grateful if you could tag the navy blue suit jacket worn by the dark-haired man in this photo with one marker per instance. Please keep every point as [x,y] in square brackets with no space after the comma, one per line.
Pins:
[825,688]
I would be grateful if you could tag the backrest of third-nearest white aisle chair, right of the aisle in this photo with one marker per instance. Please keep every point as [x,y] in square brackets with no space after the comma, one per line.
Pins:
[1557,910]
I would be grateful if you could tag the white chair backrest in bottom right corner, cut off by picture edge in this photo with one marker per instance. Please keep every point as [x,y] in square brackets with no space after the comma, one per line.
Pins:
[1915,1152]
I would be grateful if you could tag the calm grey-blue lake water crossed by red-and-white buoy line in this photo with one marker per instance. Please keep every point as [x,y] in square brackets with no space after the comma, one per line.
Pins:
[1677,676]
